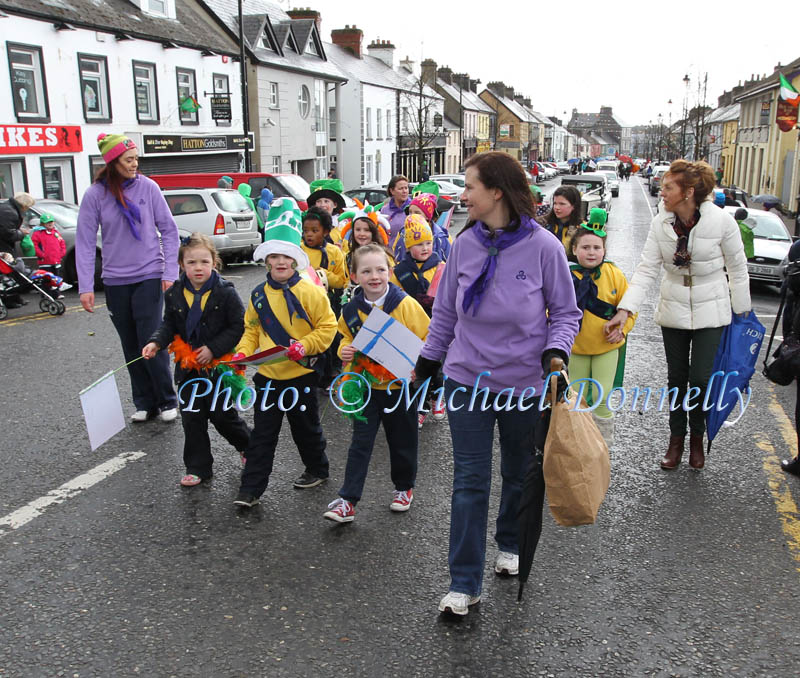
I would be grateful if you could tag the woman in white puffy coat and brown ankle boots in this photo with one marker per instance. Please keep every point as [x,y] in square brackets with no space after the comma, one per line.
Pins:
[695,243]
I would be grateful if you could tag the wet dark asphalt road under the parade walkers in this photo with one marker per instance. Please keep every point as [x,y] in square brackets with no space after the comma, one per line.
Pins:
[125,573]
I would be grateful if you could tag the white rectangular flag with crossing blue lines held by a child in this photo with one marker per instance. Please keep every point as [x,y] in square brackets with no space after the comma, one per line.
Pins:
[389,343]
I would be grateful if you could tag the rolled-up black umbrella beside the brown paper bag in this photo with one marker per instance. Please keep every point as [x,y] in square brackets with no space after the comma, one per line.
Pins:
[531,502]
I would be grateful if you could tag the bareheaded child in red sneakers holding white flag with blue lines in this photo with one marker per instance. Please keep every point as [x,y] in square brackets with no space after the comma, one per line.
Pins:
[371,268]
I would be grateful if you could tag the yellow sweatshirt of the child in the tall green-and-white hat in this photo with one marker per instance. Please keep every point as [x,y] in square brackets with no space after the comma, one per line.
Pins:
[315,340]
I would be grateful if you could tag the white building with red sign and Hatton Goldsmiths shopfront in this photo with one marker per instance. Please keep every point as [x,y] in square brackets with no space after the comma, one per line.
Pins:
[79,69]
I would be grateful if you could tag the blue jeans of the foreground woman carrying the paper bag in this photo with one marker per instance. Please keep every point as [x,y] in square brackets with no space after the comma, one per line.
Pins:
[472,433]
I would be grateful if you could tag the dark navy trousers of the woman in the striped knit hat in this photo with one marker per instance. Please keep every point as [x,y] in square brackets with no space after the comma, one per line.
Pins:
[136,311]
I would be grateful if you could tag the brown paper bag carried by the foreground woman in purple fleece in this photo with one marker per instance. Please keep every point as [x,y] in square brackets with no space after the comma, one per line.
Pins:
[576,464]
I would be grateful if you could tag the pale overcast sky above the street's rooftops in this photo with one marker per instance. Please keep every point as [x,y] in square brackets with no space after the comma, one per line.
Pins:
[582,54]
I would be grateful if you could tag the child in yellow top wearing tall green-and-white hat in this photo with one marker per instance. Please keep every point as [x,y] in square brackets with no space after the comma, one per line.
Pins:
[288,311]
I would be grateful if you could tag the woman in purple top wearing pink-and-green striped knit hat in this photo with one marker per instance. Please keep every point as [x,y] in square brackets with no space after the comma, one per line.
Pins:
[140,261]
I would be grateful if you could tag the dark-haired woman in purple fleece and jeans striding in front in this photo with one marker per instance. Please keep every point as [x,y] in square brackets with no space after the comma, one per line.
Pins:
[504,307]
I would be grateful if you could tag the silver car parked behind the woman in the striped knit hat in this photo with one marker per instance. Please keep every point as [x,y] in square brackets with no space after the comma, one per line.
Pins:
[223,215]
